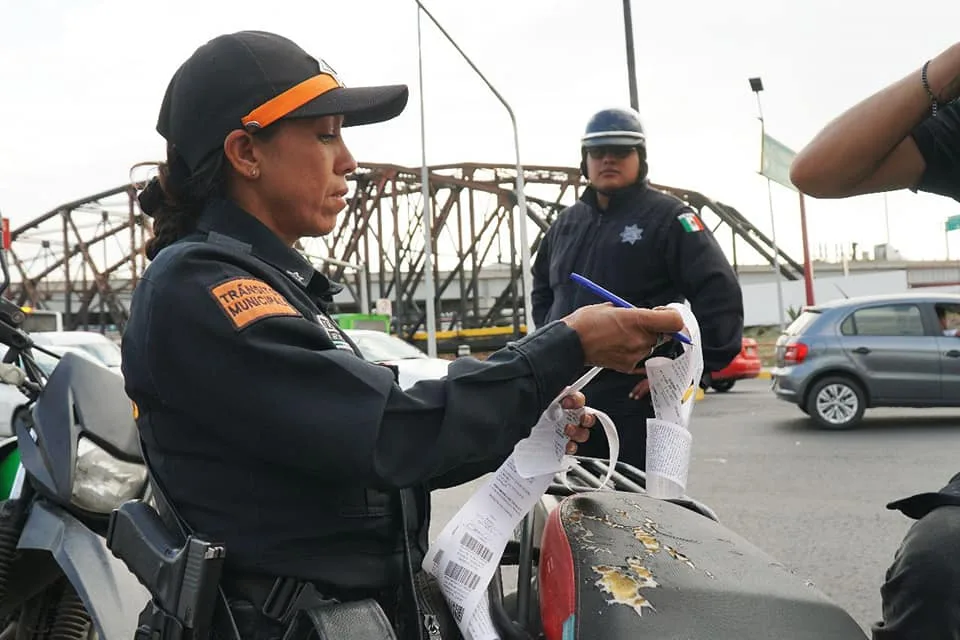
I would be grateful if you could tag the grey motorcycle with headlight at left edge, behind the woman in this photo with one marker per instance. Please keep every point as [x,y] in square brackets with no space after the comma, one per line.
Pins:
[73,459]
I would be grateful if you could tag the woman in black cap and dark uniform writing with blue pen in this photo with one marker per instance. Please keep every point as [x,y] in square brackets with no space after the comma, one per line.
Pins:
[260,421]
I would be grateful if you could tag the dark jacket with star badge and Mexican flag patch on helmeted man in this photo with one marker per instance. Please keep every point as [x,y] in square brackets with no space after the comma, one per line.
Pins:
[649,248]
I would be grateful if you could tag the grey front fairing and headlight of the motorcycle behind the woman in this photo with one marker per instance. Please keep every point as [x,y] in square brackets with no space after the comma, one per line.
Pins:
[80,398]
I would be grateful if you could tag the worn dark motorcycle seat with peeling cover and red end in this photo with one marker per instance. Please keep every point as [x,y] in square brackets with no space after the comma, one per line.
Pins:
[623,565]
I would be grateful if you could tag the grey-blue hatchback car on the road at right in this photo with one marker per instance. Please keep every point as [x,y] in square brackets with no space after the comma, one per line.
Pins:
[901,350]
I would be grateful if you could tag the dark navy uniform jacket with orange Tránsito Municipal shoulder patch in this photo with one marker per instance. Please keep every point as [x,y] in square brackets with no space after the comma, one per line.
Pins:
[271,434]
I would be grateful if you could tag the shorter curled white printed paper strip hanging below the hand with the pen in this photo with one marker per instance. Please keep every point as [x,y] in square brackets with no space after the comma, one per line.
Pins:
[673,391]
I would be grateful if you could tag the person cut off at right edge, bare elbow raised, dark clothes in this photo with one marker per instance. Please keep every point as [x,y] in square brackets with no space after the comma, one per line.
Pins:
[905,136]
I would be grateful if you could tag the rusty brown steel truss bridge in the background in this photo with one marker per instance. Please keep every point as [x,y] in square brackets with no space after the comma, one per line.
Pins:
[85,257]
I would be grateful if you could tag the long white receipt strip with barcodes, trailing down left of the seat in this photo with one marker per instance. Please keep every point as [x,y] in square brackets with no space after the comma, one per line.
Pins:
[465,555]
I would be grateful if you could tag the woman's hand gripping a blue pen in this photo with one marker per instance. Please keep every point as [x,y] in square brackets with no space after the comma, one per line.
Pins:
[617,338]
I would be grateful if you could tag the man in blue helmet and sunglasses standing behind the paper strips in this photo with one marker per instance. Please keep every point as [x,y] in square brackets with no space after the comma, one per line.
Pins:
[646,246]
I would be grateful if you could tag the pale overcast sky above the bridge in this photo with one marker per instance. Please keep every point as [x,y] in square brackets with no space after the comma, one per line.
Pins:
[83,79]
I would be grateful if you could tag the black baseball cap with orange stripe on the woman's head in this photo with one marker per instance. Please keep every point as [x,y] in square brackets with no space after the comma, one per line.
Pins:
[251,79]
